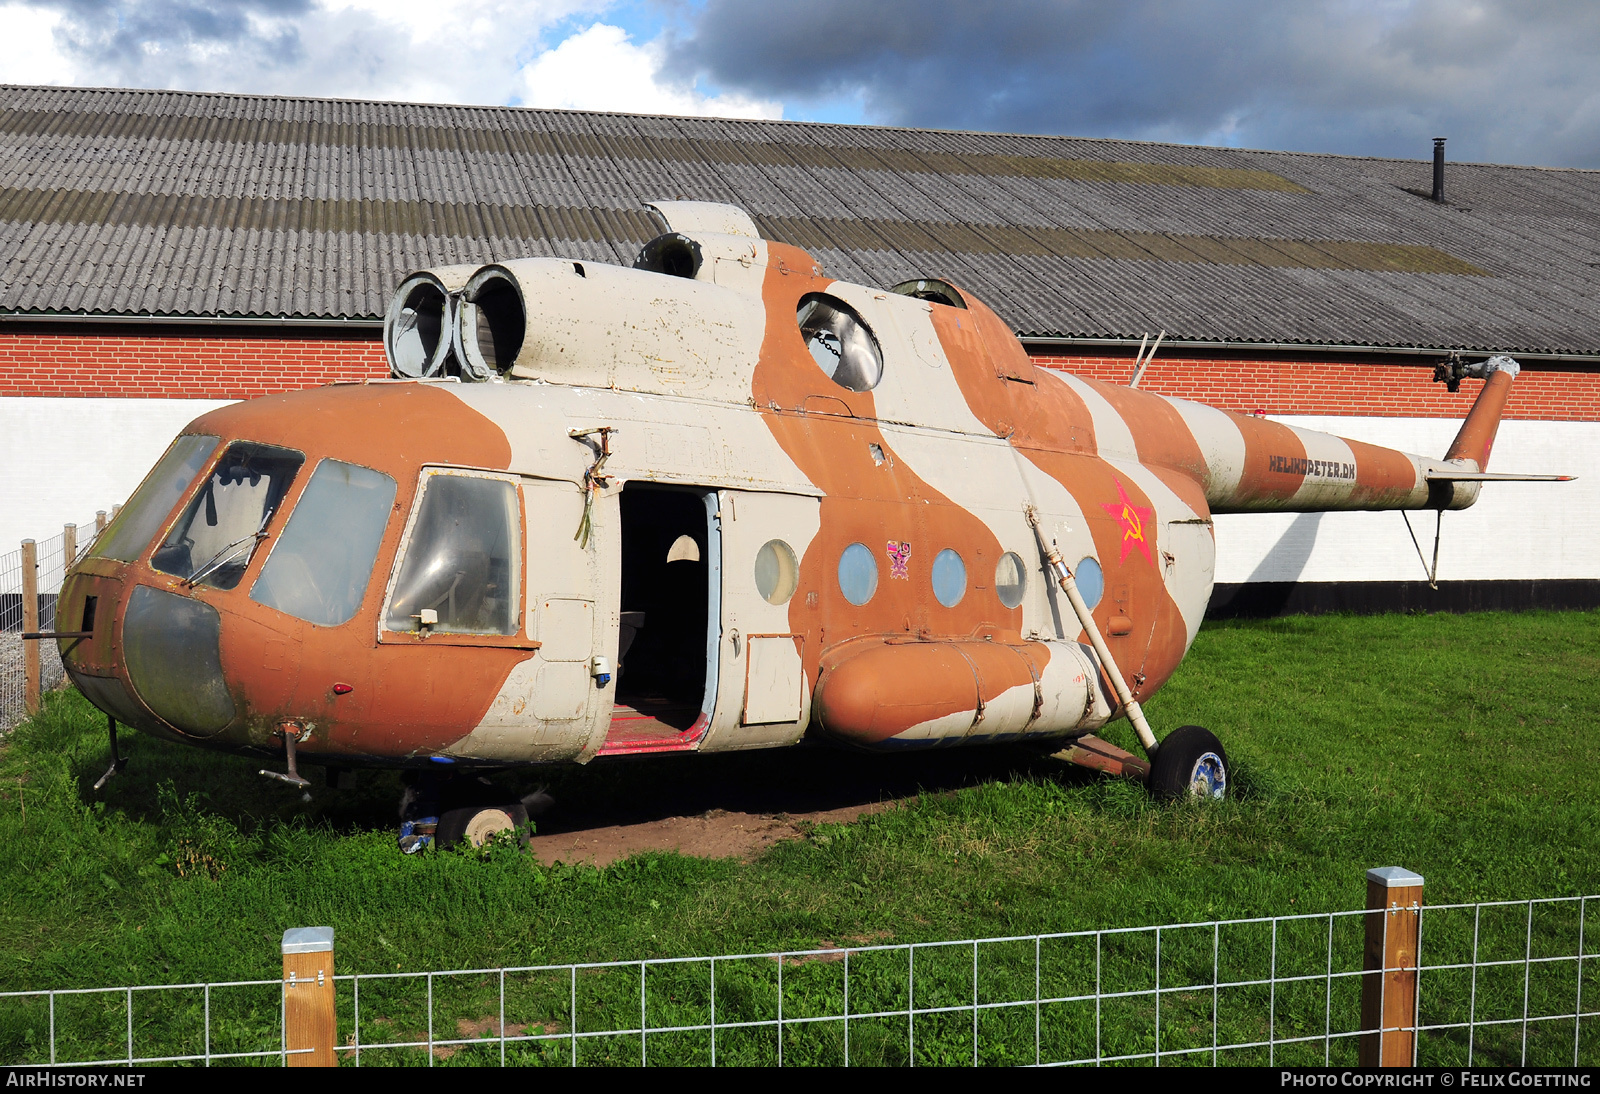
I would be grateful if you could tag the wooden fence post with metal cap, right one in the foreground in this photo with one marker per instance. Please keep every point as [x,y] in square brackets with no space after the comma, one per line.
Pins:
[1394,904]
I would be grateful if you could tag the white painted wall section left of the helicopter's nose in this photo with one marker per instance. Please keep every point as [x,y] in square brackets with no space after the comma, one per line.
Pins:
[65,458]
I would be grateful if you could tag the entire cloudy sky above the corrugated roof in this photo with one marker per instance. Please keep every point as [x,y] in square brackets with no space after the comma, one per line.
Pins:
[1506,81]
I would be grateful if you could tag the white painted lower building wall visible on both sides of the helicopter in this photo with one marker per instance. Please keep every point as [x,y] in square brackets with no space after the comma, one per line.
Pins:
[65,458]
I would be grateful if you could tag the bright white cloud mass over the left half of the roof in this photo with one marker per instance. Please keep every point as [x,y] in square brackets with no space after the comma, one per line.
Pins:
[409,50]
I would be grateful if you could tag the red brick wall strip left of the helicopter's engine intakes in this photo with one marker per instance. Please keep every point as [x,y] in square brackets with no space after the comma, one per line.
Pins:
[180,364]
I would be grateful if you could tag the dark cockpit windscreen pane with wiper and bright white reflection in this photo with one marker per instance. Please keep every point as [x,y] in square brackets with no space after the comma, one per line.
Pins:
[217,537]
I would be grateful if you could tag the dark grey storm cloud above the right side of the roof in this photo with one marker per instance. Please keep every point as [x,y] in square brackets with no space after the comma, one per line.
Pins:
[1506,81]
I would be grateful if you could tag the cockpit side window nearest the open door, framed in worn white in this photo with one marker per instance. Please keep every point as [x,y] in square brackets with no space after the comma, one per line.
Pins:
[462,564]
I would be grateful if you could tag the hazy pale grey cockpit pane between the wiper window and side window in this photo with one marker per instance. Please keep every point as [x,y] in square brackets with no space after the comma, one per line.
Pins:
[322,564]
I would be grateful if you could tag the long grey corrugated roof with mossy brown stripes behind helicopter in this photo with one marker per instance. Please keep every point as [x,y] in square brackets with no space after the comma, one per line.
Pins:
[119,202]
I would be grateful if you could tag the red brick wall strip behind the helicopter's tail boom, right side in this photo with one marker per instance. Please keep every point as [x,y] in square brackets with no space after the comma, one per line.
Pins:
[1342,388]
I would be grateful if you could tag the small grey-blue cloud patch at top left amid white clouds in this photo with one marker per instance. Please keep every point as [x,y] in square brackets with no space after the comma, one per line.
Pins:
[138,39]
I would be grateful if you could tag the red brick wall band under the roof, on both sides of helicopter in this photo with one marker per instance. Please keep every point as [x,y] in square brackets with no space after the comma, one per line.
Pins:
[110,362]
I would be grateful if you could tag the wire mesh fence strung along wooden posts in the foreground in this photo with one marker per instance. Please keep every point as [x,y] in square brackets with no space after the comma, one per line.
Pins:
[1498,984]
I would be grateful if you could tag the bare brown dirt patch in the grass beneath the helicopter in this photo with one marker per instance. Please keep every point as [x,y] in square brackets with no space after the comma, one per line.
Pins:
[716,834]
